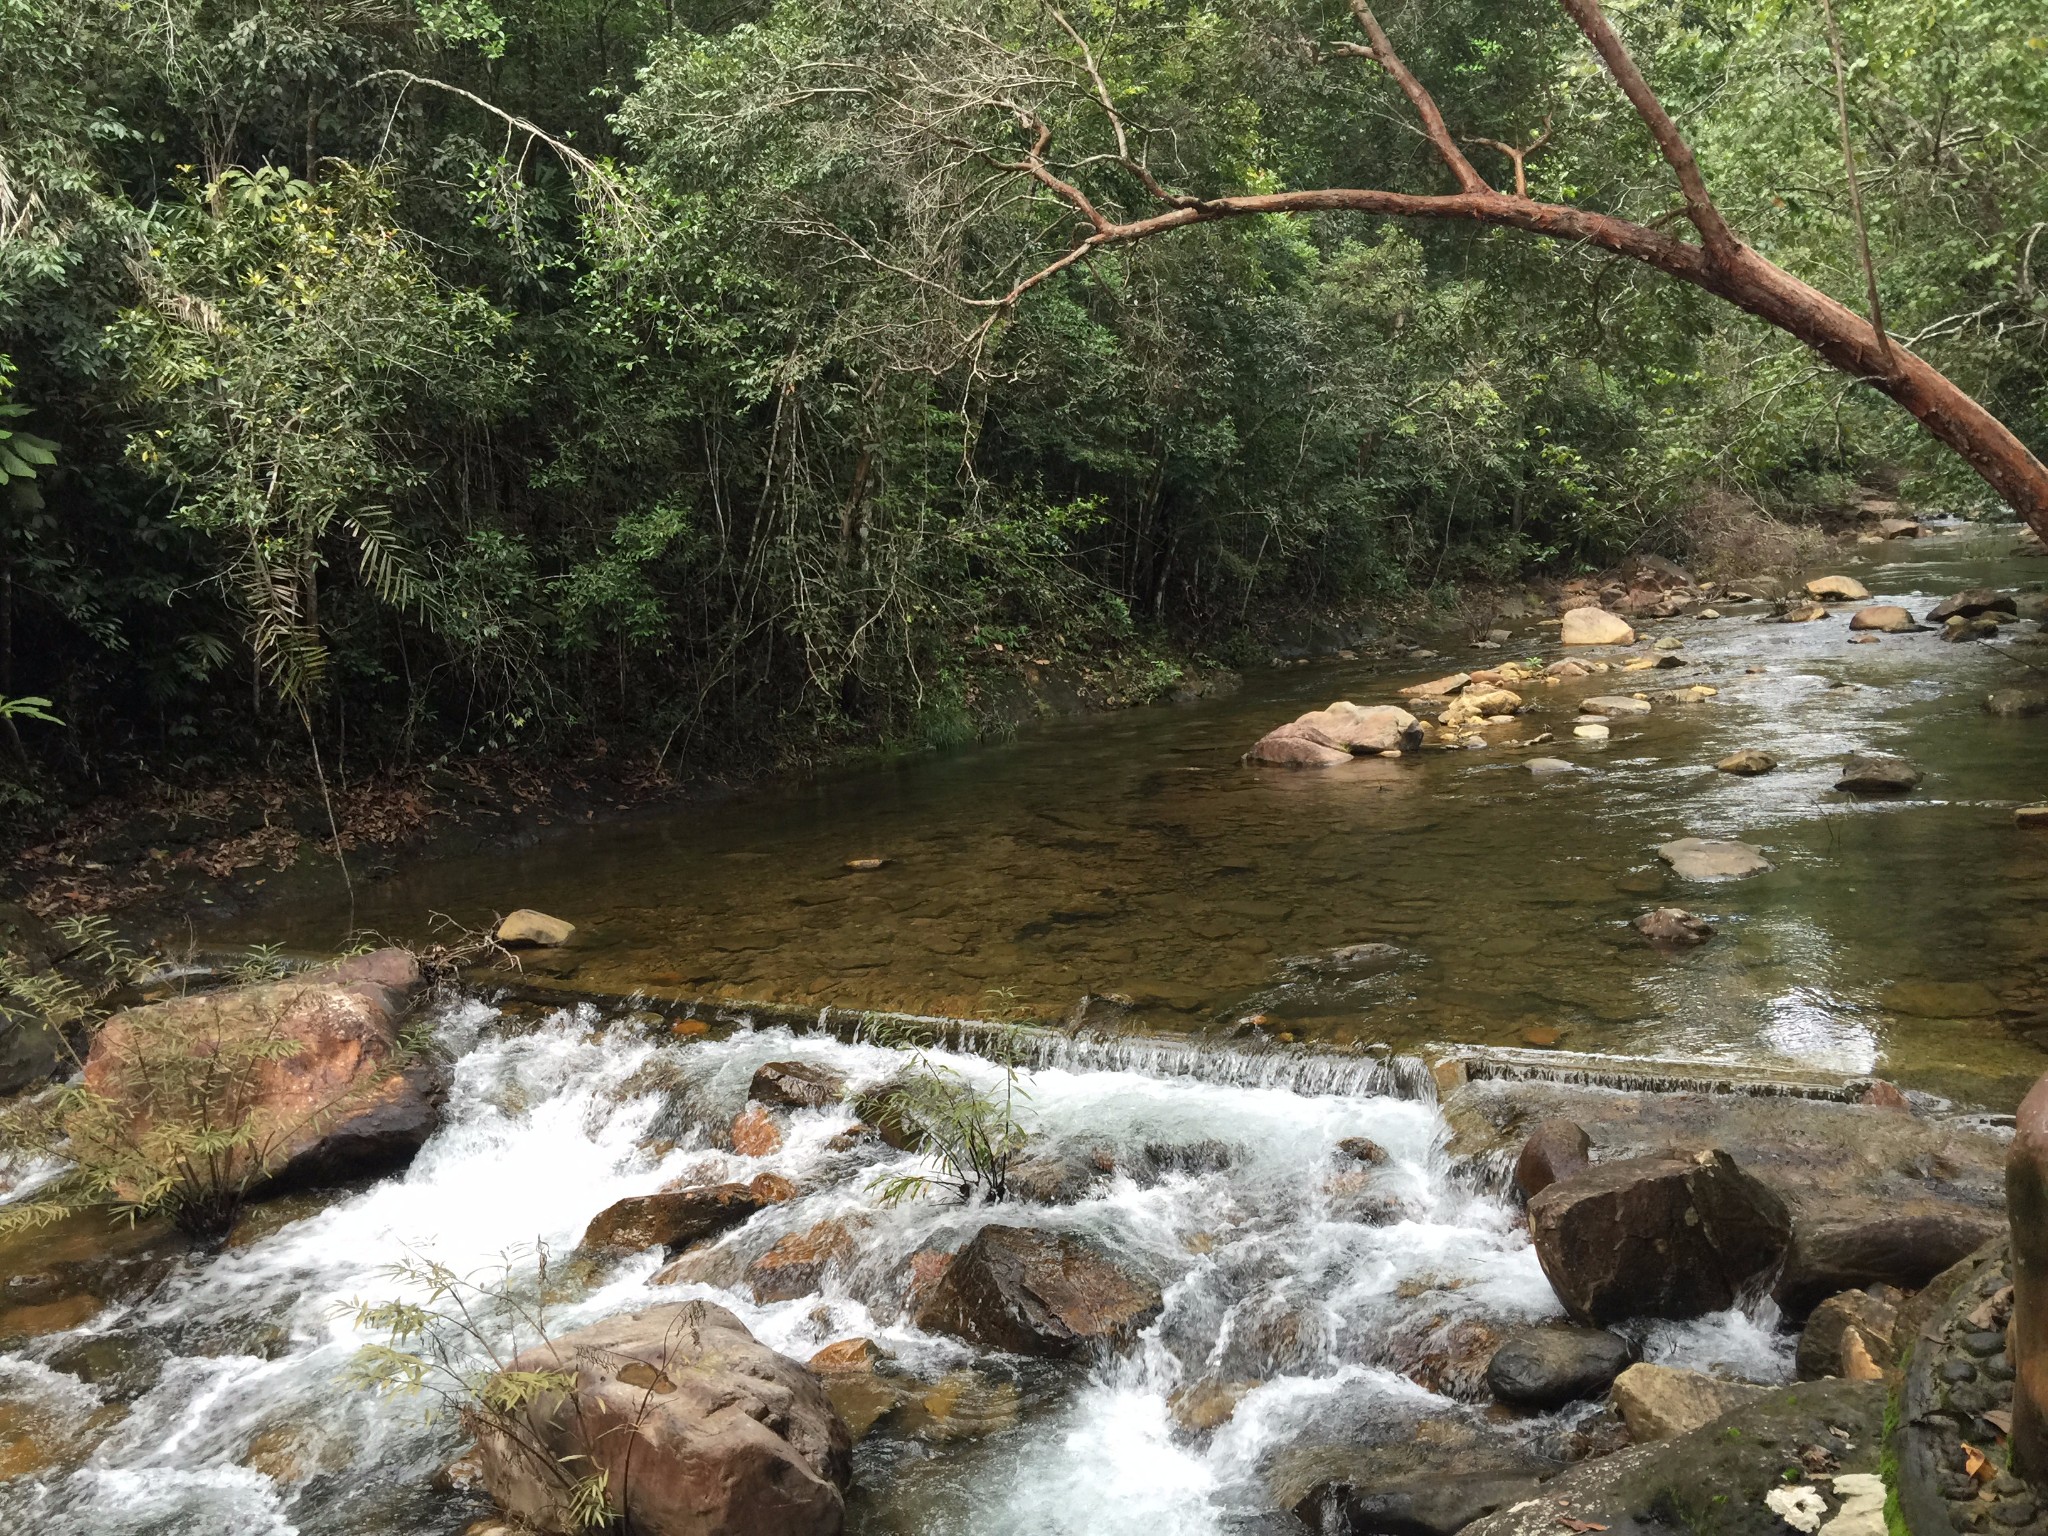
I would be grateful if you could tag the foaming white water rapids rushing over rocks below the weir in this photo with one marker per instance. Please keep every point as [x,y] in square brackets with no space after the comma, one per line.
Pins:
[1277,1287]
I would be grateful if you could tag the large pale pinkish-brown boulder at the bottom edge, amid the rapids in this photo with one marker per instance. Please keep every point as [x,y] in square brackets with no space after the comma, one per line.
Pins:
[695,1426]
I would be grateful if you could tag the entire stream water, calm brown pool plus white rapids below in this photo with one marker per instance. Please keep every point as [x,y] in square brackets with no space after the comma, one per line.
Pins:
[208,1394]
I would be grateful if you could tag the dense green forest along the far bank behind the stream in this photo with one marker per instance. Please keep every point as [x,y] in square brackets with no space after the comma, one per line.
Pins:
[423,378]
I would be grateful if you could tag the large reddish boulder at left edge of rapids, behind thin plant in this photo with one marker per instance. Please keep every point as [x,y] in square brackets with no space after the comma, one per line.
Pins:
[339,1105]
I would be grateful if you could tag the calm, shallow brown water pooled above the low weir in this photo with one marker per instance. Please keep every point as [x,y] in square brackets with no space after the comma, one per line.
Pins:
[1134,855]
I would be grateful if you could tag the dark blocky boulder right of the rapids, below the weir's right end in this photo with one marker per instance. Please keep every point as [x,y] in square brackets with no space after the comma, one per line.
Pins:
[1672,1236]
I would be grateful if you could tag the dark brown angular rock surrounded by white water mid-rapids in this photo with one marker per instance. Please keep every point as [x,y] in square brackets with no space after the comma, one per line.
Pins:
[1037,1293]
